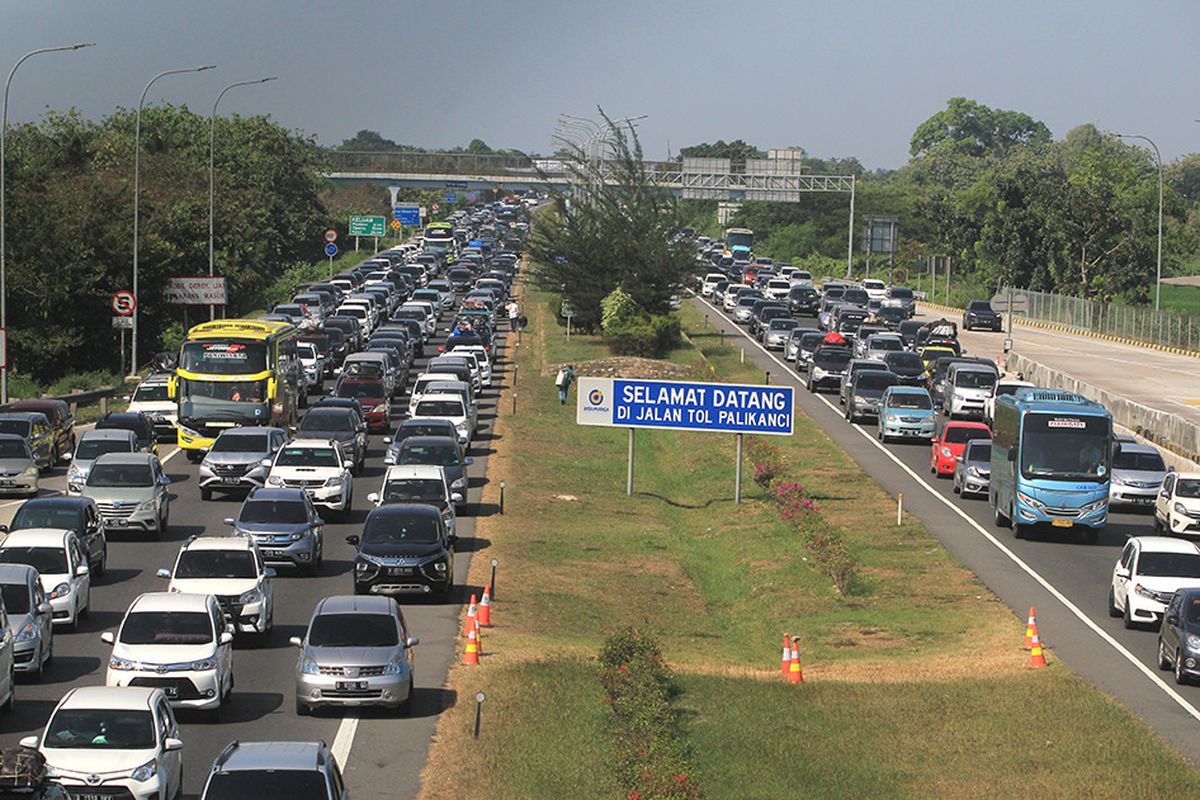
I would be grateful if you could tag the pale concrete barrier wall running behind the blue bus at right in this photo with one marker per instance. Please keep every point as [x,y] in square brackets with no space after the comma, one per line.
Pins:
[1179,440]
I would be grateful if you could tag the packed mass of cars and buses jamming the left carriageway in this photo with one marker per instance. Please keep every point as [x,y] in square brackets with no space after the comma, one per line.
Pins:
[377,374]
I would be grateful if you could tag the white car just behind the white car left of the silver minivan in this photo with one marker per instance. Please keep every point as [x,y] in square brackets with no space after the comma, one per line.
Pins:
[232,569]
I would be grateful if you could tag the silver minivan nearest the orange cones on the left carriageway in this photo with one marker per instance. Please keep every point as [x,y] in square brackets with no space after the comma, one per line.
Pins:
[356,653]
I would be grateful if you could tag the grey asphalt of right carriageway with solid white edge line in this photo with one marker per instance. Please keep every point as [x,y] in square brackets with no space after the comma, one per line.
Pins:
[1066,581]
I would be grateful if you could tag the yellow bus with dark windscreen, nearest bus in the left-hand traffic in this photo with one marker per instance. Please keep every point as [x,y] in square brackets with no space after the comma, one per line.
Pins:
[235,372]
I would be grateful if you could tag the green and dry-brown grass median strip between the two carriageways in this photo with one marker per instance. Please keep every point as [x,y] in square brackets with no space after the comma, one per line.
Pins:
[916,679]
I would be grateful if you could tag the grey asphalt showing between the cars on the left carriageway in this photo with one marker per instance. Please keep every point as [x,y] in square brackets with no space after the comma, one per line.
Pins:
[382,755]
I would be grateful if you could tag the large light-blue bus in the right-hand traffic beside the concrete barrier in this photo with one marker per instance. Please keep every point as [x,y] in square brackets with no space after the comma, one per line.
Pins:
[1052,455]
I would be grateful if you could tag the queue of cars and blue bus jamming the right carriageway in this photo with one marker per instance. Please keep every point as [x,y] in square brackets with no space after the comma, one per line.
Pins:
[1048,464]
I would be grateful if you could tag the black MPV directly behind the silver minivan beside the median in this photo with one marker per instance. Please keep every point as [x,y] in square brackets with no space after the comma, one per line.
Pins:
[405,550]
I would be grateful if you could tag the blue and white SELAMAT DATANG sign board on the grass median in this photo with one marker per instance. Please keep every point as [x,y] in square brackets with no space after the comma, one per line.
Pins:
[680,406]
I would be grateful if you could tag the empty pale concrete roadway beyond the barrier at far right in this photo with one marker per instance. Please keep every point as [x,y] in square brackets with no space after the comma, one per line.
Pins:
[1162,381]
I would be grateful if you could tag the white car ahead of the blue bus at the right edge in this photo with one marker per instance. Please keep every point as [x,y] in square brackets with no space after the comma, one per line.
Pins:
[1148,574]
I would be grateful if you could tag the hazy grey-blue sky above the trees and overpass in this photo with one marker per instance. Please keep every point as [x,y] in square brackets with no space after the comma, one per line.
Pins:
[839,79]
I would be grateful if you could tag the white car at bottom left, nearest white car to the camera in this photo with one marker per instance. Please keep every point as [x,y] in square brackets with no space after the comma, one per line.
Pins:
[107,742]
